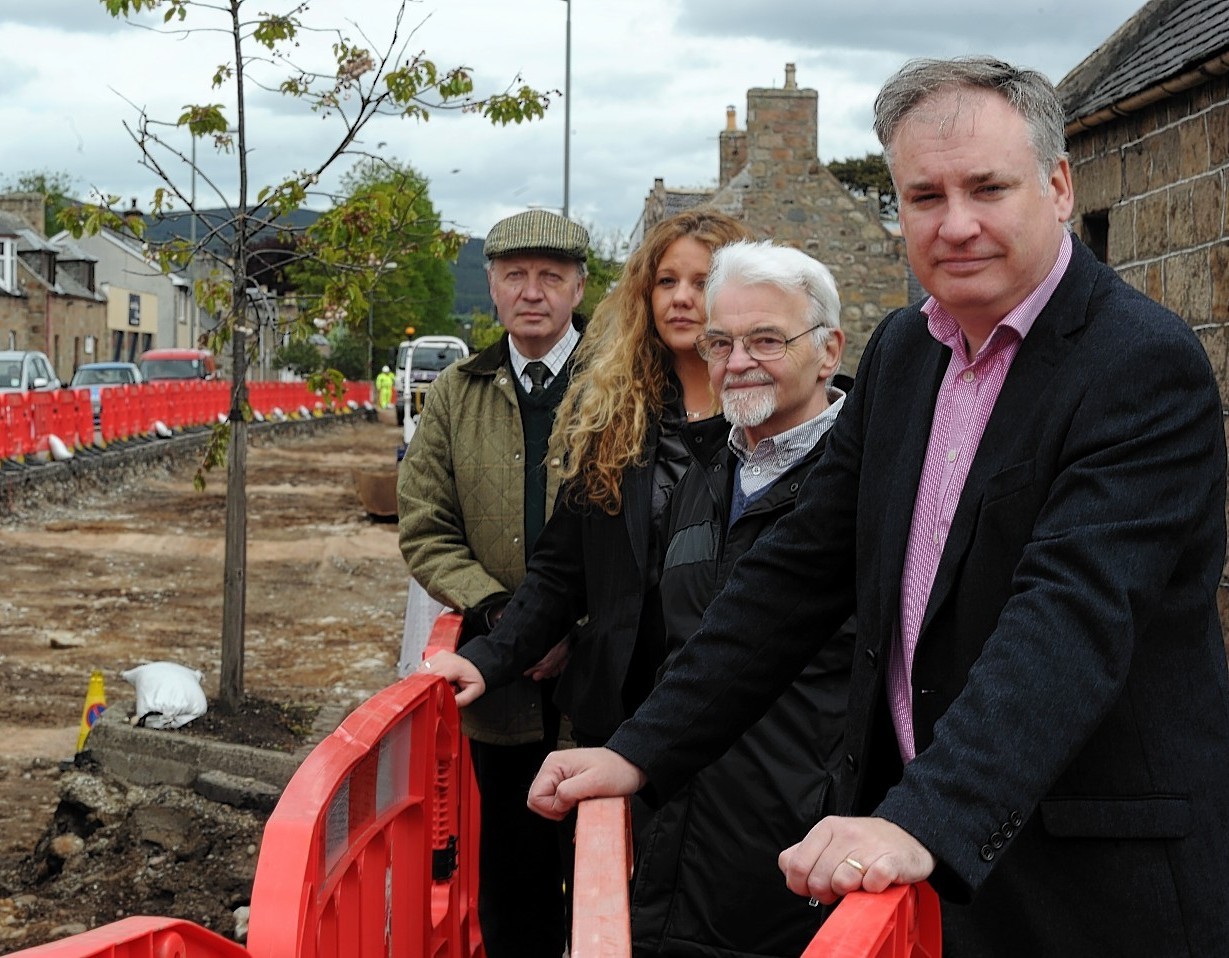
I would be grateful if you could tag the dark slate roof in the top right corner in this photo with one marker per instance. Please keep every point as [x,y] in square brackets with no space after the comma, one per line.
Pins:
[1163,41]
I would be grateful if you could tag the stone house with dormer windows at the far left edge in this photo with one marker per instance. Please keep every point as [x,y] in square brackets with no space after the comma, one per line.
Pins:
[49,301]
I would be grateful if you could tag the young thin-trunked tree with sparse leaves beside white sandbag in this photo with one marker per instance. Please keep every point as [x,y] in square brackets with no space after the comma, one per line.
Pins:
[358,84]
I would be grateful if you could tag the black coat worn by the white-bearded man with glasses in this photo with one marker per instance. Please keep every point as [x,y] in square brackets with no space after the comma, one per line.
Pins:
[706,875]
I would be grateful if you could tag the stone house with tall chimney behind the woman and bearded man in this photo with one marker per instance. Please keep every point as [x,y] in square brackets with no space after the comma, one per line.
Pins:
[771,178]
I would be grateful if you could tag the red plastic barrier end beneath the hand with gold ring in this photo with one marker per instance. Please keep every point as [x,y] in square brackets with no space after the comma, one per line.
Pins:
[901,923]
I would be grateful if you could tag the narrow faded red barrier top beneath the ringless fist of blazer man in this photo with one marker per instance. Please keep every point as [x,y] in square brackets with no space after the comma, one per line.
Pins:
[600,925]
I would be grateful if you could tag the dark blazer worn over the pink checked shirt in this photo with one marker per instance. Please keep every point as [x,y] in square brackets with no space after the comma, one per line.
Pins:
[1070,683]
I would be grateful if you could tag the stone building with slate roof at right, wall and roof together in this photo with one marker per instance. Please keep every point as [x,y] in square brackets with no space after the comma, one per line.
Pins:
[1149,136]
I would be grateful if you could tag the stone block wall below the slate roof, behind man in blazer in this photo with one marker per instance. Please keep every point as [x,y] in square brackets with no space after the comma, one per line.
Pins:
[1151,195]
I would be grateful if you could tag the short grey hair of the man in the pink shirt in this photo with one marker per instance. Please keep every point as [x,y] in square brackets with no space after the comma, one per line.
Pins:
[1027,92]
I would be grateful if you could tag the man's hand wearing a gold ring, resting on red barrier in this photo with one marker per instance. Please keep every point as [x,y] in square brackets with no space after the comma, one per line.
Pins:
[842,855]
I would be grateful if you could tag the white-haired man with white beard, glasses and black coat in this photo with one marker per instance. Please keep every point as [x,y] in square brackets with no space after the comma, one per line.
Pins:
[706,875]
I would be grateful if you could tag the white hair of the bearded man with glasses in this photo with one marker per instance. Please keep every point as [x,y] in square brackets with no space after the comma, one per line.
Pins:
[765,264]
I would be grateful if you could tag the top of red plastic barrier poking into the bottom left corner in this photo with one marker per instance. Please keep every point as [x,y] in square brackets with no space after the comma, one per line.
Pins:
[141,938]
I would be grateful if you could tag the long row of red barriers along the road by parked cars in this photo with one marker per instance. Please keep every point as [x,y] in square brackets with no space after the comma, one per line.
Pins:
[29,421]
